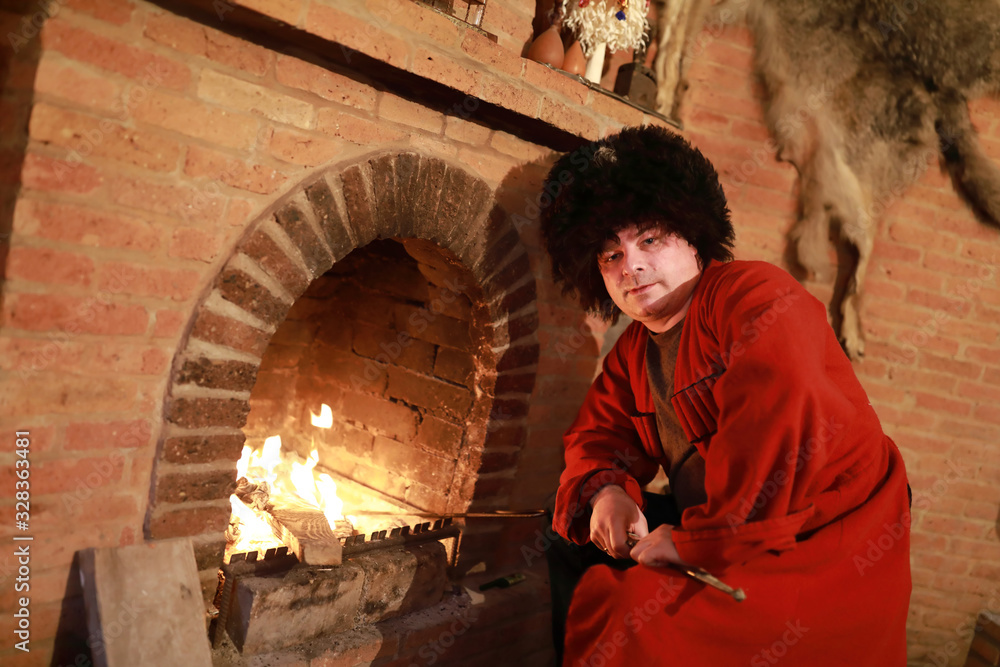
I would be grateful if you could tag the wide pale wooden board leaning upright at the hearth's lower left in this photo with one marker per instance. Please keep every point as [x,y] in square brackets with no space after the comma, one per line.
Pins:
[144,605]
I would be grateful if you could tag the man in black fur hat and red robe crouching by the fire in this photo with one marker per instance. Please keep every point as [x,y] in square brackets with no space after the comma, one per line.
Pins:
[731,379]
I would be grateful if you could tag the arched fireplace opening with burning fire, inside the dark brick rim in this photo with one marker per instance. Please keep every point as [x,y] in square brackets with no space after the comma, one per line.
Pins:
[365,391]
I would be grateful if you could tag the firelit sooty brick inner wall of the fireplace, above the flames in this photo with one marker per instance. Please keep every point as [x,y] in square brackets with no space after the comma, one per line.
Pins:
[392,354]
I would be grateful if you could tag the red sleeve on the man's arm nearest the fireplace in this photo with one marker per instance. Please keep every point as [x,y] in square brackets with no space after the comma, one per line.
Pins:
[602,446]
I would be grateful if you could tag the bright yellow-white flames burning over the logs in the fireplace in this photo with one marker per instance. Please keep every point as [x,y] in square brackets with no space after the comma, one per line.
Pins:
[290,481]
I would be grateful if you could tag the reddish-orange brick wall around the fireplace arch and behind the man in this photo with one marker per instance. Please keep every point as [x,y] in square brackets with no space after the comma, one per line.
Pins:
[142,148]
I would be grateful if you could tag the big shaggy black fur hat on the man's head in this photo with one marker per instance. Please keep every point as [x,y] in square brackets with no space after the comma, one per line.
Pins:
[644,176]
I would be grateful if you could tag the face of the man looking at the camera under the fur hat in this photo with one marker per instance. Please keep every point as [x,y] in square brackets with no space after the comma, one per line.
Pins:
[650,275]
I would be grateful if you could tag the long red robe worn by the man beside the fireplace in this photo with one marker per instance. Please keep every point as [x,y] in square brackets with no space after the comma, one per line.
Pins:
[807,506]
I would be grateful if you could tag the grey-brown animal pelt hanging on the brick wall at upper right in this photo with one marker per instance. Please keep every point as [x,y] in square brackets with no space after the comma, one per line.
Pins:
[860,96]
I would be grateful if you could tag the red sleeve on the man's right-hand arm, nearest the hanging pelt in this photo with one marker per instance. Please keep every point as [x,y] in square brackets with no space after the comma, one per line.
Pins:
[783,401]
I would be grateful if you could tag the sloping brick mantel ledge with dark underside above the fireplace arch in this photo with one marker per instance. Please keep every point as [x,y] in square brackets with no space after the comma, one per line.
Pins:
[404,45]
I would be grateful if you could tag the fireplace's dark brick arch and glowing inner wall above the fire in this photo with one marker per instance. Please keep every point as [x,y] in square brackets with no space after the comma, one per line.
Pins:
[392,289]
